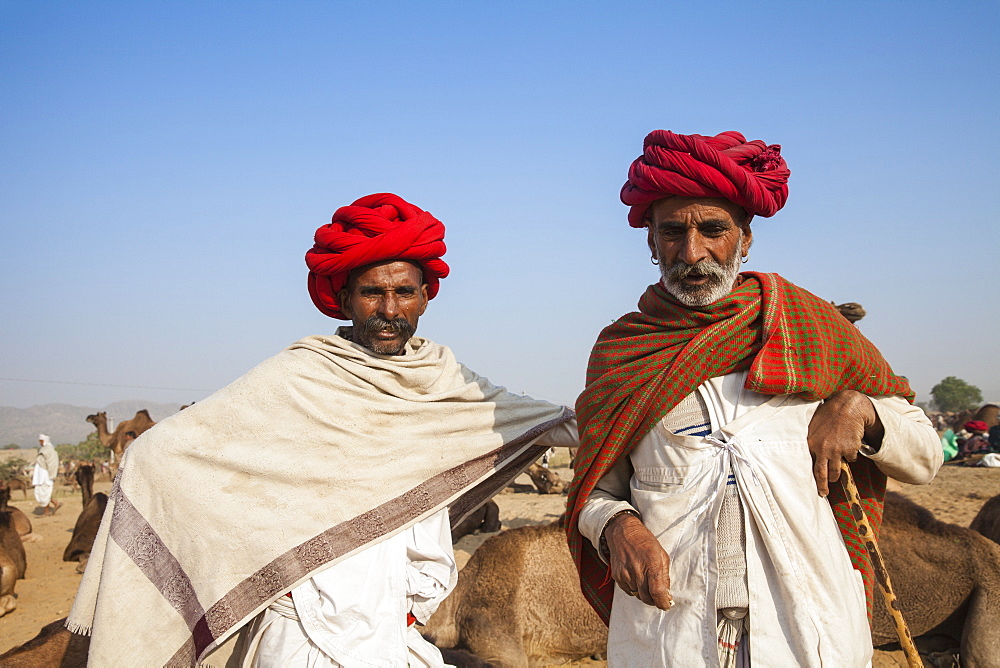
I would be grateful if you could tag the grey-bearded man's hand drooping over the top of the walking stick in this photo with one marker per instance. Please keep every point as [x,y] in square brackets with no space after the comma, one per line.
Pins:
[840,426]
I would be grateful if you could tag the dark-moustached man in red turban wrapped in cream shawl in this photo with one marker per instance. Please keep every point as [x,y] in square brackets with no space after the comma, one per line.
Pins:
[307,502]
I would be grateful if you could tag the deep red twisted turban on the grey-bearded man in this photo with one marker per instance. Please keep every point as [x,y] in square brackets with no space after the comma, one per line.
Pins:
[751,174]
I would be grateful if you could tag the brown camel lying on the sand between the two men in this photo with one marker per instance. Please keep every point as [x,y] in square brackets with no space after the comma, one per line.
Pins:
[518,603]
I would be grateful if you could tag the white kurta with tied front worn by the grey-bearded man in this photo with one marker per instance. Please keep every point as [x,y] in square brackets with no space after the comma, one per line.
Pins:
[807,604]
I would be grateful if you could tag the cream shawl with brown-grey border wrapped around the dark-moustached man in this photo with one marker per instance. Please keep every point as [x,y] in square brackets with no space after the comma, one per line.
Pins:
[313,454]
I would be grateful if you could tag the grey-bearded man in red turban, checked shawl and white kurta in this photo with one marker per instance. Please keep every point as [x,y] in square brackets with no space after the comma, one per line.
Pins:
[706,515]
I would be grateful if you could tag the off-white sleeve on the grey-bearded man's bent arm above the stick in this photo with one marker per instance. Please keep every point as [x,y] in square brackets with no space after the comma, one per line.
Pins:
[911,450]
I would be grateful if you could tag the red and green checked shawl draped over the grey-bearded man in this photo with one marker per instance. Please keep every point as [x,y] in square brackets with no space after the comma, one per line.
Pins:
[647,361]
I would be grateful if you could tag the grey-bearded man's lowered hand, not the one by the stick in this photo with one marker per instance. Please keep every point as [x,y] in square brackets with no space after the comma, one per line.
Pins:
[639,564]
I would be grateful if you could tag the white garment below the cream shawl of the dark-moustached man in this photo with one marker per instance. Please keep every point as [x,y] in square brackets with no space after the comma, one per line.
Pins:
[353,614]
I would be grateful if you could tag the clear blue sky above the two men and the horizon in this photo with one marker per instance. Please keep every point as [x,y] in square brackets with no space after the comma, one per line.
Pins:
[163,166]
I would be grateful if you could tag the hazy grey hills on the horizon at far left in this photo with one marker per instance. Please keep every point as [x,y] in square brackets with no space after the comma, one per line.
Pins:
[68,424]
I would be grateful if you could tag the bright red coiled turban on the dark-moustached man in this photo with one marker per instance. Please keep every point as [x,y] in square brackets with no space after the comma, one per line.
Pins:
[373,229]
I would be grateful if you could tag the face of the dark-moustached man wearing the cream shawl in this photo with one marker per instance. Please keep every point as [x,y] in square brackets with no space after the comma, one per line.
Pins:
[384,302]
